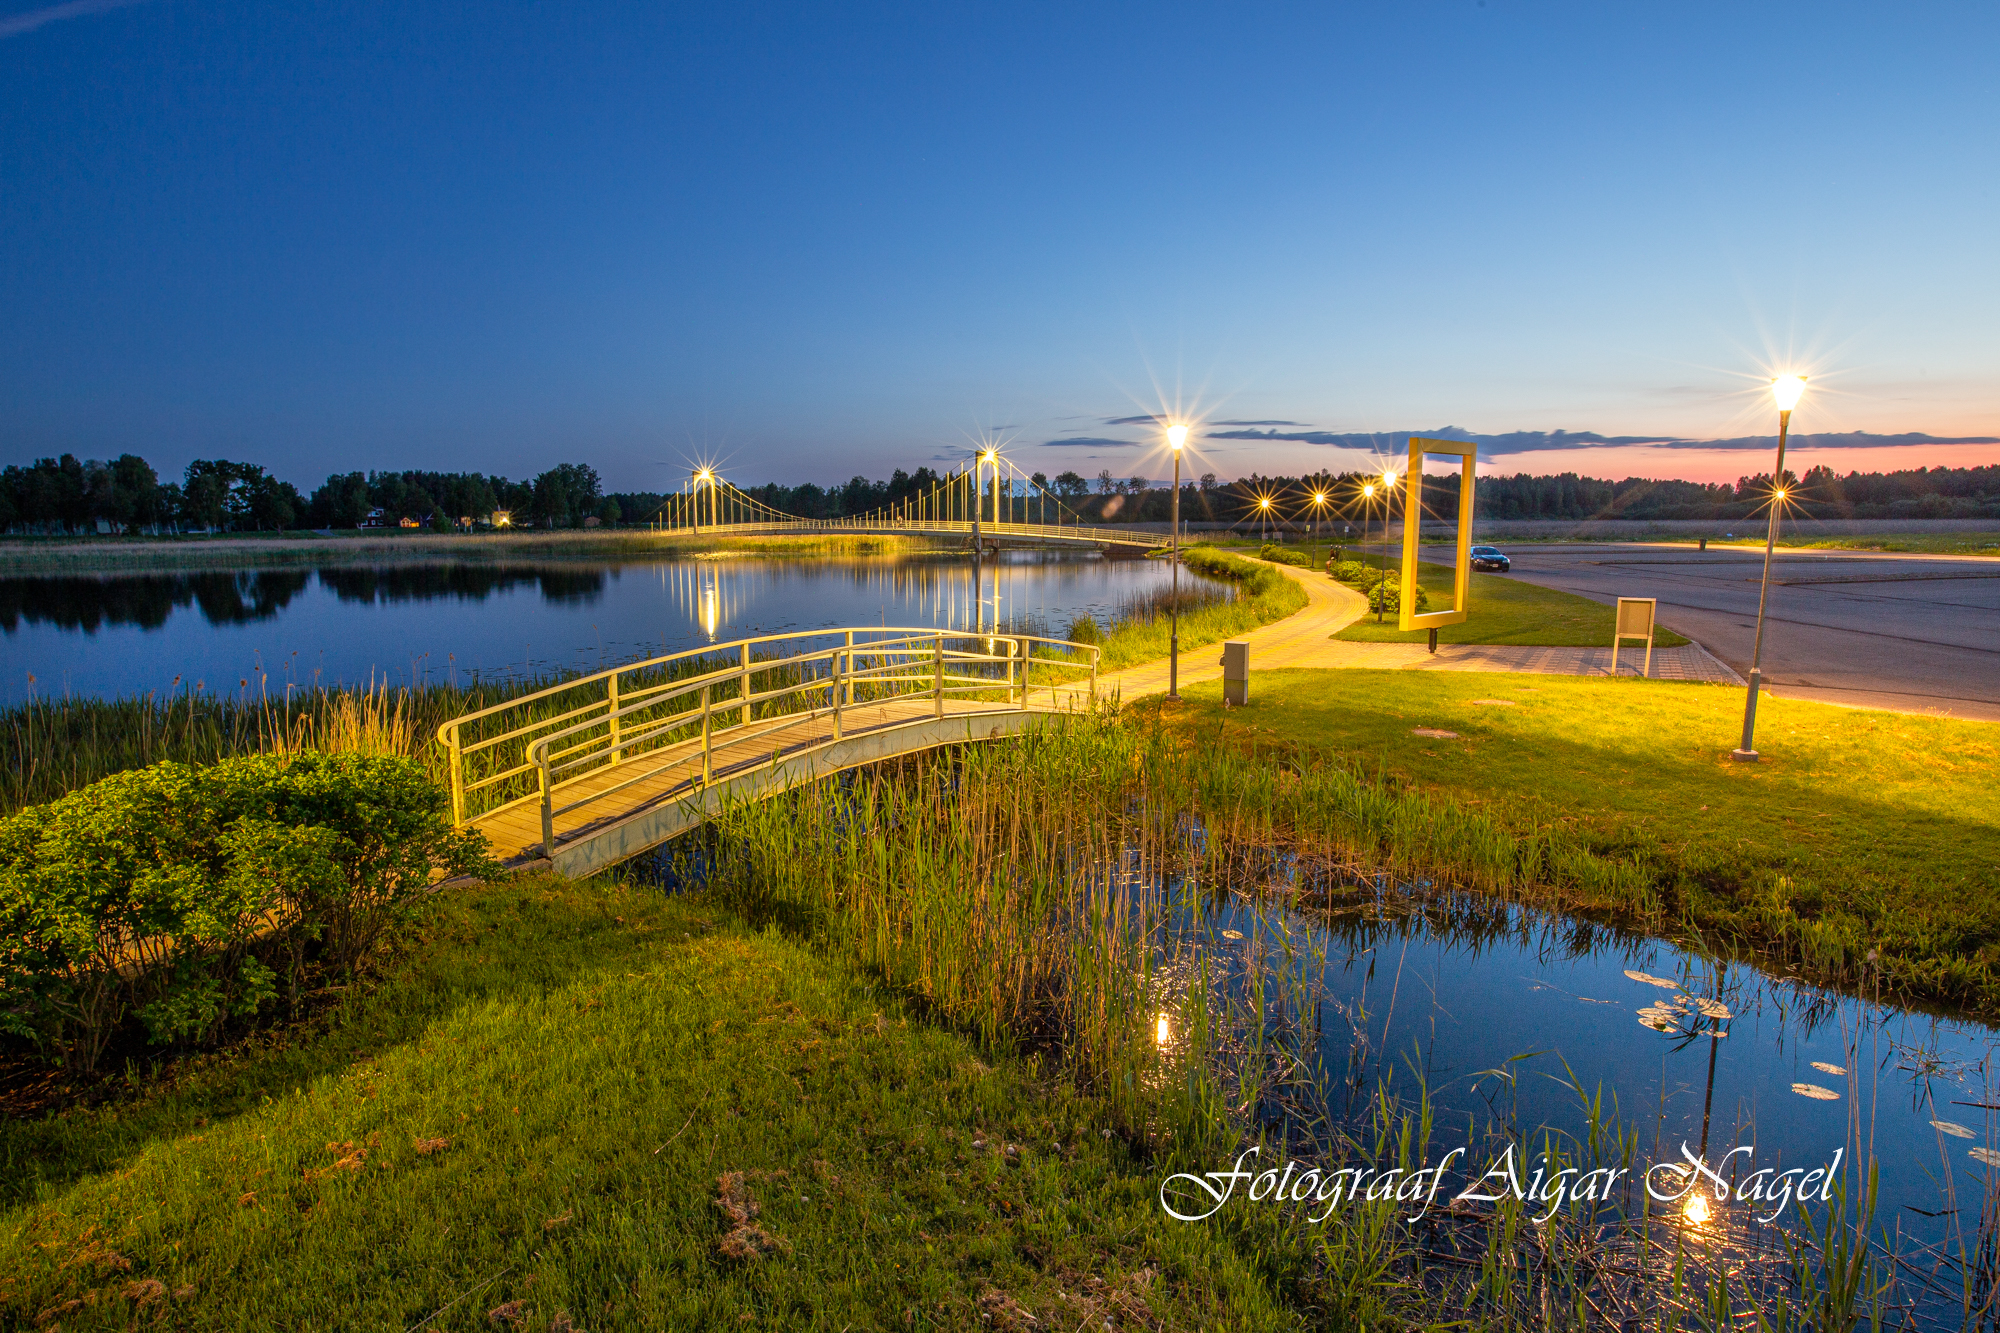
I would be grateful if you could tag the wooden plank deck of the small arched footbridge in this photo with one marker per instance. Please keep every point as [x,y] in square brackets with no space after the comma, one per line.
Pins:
[657,796]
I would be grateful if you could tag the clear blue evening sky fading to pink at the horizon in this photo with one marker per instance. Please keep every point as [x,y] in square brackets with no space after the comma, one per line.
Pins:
[827,241]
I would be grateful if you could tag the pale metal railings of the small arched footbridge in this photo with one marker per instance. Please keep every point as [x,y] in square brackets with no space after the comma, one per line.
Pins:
[671,712]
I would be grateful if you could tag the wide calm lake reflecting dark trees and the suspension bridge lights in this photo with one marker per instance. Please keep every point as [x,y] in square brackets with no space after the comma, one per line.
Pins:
[459,619]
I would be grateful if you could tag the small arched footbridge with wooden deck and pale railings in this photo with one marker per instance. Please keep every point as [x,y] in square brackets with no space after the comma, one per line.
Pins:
[595,772]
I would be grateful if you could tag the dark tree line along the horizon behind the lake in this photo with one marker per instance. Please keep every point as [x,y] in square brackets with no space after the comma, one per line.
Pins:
[215,495]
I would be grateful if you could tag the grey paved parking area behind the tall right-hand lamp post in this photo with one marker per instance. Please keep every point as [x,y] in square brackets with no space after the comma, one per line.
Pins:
[1913,633]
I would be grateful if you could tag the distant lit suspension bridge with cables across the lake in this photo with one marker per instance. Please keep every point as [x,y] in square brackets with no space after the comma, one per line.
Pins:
[987,505]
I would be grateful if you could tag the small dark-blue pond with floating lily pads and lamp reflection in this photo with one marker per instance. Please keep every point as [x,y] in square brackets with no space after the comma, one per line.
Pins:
[1509,1020]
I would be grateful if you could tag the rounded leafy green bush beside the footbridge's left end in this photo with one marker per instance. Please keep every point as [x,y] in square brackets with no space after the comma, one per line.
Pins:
[179,896]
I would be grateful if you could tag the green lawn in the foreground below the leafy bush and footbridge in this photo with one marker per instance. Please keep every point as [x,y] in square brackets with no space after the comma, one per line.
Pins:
[537,1110]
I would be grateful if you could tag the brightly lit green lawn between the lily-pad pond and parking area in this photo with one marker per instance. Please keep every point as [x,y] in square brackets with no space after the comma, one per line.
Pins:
[1861,832]
